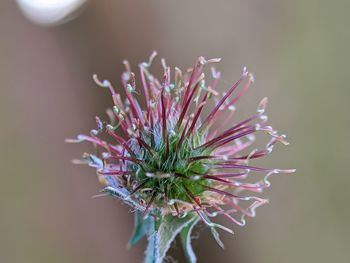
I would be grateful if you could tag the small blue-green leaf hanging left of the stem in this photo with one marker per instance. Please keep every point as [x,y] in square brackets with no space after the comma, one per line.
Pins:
[141,229]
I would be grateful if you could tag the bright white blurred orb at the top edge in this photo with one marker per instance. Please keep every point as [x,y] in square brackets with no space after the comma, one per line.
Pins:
[50,12]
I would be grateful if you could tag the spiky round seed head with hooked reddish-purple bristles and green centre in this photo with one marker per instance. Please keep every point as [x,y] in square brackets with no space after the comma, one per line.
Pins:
[174,158]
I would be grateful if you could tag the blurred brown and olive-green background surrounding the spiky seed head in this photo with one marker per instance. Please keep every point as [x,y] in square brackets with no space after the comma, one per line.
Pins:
[299,52]
